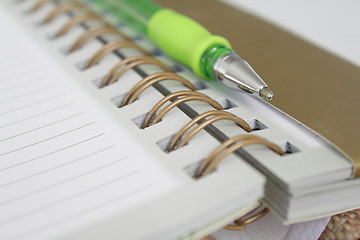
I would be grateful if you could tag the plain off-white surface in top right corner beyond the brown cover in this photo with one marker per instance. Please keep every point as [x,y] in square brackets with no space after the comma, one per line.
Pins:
[331,24]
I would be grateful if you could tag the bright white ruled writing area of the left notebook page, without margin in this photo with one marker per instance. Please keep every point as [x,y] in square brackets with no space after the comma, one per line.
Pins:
[55,154]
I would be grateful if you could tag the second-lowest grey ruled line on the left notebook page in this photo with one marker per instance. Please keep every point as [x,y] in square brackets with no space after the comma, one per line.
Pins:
[69,198]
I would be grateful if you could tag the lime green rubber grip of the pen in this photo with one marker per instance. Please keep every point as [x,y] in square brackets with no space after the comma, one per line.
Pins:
[182,38]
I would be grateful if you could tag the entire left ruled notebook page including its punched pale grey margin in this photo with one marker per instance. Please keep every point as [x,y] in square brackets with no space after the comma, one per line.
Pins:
[89,171]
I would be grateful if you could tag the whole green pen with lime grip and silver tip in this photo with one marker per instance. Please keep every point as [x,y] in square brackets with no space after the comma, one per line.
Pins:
[210,56]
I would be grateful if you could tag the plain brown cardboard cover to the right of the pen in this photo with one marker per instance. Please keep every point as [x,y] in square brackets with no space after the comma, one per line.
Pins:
[310,84]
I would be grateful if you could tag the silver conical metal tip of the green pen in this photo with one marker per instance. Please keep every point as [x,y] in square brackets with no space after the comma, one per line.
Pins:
[236,73]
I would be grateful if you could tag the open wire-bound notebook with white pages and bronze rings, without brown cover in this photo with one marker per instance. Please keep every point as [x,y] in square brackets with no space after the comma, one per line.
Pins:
[103,136]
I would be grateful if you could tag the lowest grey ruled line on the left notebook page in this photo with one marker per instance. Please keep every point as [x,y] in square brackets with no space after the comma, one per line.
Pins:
[79,214]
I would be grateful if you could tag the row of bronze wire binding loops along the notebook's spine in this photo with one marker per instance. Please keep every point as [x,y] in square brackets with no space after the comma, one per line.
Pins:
[176,98]
